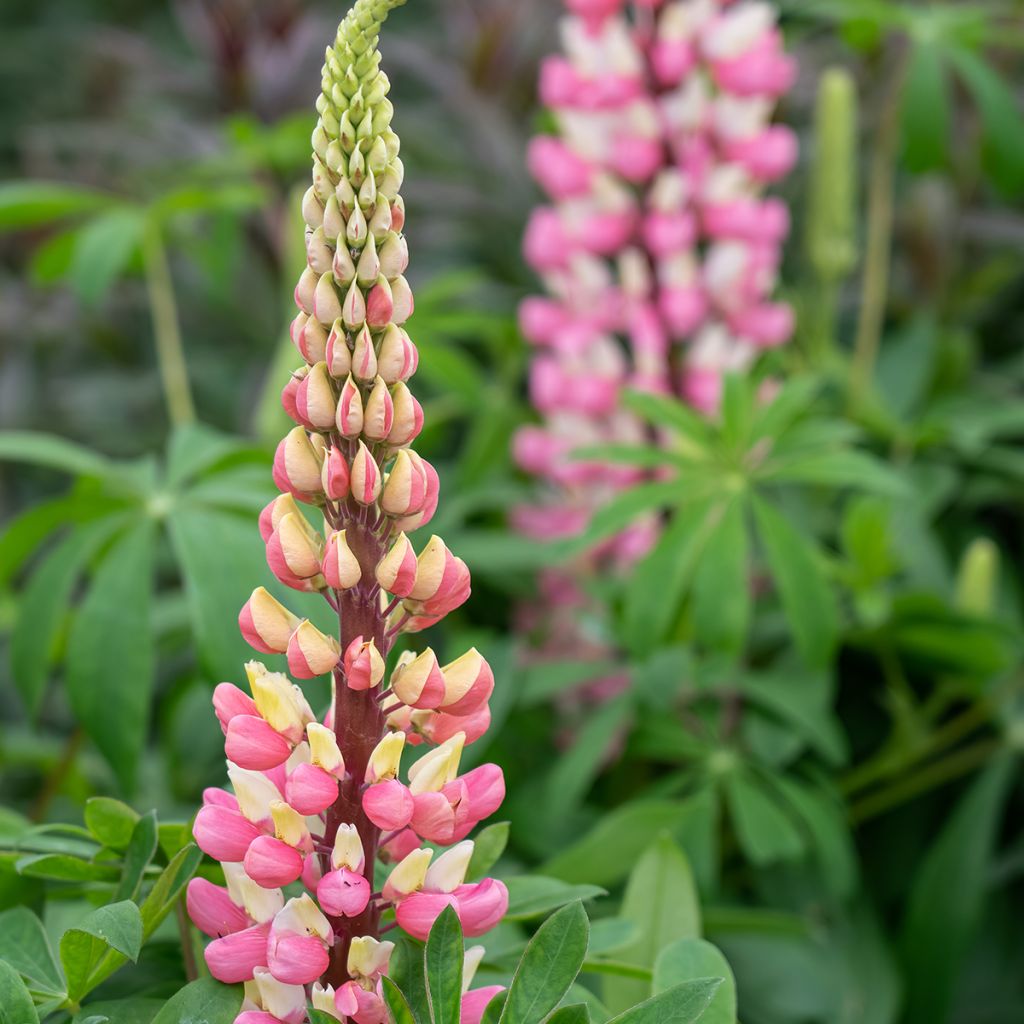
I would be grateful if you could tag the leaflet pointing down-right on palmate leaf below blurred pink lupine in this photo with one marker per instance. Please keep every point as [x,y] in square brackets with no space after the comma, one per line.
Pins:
[808,600]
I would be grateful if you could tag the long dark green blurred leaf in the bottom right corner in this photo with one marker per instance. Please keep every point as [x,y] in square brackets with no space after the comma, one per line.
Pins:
[950,891]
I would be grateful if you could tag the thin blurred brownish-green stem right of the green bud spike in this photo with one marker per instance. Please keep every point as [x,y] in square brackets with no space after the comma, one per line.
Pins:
[881,205]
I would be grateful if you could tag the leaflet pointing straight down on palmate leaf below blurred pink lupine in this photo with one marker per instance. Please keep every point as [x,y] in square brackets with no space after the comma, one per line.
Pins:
[721,587]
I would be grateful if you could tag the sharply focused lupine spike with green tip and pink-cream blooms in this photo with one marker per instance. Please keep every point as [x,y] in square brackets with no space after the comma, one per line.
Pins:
[318,801]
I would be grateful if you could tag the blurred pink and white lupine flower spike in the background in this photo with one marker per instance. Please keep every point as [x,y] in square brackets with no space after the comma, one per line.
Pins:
[658,249]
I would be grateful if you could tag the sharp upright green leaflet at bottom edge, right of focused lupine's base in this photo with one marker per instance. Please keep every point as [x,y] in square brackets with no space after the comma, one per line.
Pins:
[549,966]
